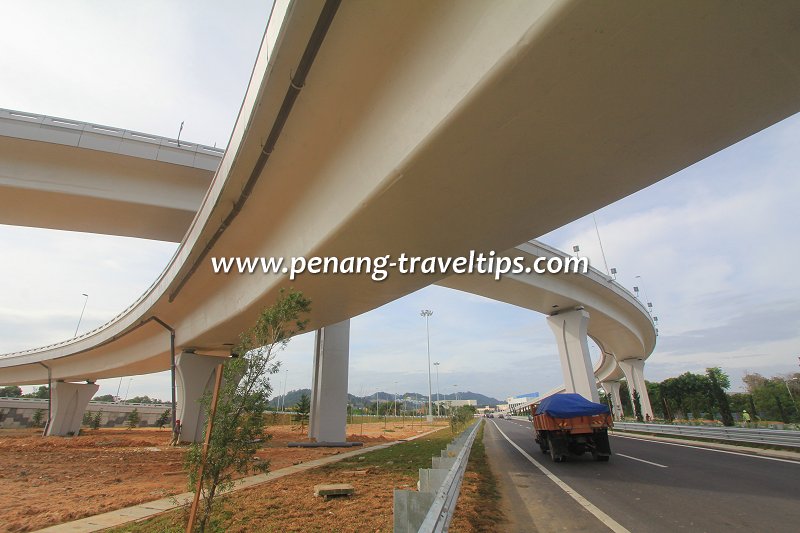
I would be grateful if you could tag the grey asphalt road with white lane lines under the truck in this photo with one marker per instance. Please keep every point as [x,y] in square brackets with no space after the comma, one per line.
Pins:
[647,486]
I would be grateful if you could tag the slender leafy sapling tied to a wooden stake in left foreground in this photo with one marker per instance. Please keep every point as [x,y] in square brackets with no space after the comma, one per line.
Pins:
[239,422]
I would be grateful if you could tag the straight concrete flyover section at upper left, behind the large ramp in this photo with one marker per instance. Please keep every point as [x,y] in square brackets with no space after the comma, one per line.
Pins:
[64,174]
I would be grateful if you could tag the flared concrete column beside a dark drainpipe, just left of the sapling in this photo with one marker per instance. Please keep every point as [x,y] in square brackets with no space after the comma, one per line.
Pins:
[194,374]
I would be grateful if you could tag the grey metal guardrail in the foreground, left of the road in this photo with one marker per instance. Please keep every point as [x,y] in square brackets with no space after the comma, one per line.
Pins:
[430,509]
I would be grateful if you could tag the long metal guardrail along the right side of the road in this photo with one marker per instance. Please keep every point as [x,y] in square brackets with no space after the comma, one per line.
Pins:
[773,437]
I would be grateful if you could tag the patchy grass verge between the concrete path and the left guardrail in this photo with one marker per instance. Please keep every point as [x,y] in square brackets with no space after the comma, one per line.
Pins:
[288,504]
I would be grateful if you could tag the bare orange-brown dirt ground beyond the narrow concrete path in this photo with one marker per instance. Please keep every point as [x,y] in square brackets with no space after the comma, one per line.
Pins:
[68,478]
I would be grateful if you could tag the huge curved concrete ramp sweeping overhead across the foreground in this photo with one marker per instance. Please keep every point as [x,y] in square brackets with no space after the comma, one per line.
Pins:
[545,112]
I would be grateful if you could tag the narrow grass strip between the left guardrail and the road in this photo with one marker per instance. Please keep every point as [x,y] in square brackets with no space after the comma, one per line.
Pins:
[478,507]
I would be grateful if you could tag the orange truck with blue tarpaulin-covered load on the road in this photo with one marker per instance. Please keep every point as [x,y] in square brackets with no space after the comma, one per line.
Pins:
[568,423]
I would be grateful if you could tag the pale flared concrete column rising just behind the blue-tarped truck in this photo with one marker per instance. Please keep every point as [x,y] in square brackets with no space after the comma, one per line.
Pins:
[569,329]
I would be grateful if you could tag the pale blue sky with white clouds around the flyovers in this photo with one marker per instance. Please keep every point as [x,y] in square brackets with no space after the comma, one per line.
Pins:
[713,247]
